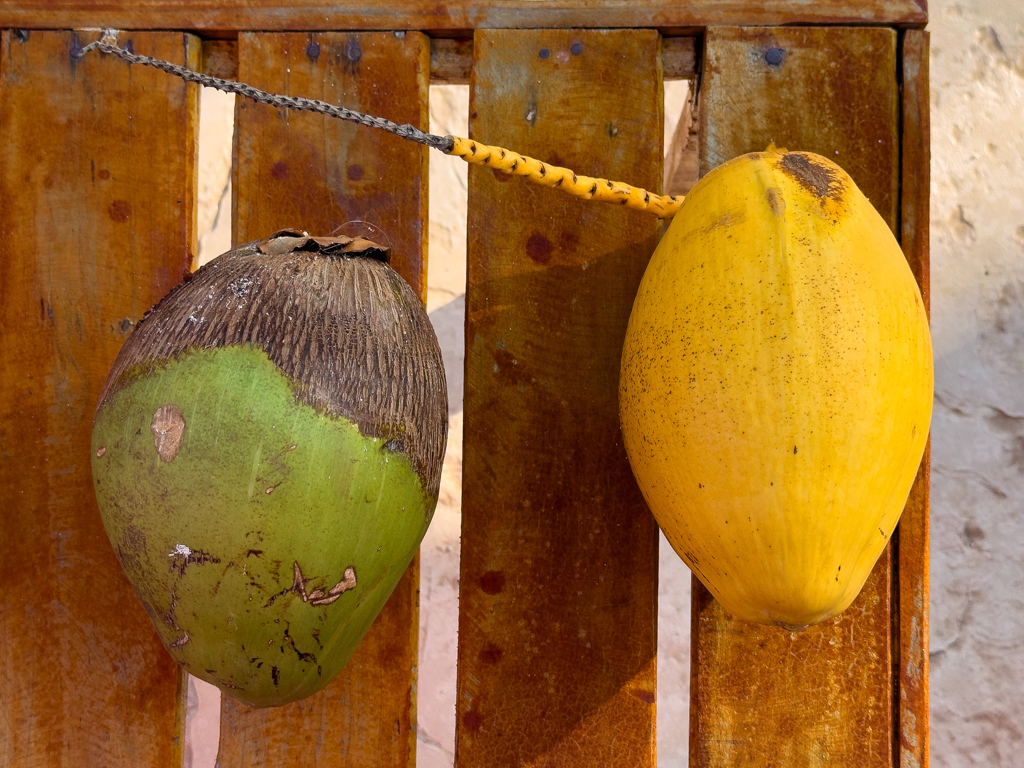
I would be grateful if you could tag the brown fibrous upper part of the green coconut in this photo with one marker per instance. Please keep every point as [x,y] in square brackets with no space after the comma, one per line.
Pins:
[337,321]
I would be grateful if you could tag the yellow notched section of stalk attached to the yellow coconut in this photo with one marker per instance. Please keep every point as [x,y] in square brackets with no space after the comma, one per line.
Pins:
[588,188]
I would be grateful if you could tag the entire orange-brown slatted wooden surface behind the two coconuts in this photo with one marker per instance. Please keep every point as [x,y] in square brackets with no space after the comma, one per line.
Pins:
[558,652]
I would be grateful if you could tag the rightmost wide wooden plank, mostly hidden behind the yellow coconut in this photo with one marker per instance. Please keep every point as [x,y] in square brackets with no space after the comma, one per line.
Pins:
[762,697]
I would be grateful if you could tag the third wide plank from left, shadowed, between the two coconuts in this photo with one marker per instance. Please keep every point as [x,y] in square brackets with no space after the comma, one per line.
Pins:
[558,629]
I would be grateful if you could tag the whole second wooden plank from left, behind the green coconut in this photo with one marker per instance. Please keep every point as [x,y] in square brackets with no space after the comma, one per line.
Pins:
[319,175]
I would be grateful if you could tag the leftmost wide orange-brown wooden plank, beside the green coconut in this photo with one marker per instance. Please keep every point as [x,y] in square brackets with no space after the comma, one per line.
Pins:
[98,176]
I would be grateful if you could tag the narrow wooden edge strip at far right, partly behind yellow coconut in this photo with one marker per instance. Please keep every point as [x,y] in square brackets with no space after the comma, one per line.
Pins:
[913,533]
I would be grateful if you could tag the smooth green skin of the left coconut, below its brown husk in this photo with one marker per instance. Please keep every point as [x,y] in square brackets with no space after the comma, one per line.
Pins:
[262,487]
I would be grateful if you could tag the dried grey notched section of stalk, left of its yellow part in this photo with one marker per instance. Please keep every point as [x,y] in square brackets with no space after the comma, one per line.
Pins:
[444,144]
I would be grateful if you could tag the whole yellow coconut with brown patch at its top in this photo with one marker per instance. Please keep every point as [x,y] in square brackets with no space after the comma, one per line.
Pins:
[777,387]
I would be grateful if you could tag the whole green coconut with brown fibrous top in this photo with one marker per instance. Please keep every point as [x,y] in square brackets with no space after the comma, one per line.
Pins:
[267,456]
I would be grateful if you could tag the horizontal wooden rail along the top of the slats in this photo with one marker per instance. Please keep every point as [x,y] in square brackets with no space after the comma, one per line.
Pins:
[456,16]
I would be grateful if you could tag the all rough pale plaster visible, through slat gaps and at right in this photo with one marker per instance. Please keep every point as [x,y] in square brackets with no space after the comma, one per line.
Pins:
[978,430]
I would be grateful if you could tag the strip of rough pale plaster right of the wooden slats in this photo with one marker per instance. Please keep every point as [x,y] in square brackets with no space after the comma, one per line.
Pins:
[977,223]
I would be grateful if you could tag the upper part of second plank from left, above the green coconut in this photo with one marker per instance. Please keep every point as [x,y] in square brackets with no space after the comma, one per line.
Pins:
[325,176]
